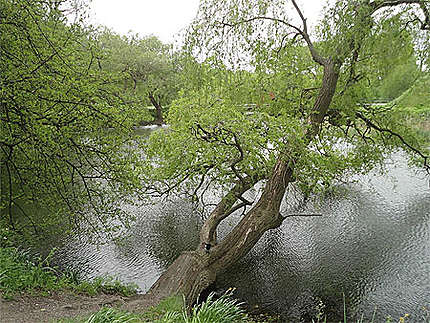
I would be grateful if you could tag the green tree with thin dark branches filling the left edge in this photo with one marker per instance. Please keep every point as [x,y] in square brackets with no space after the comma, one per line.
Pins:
[63,124]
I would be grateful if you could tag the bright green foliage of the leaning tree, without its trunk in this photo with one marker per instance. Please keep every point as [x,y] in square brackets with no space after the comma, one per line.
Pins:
[226,127]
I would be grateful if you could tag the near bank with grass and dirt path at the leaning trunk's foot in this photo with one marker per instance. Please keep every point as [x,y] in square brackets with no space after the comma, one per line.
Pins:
[32,291]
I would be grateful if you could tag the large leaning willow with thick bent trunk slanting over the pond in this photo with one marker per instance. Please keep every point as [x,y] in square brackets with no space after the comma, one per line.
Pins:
[315,131]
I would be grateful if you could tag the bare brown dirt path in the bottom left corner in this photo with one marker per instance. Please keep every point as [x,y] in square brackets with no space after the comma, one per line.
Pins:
[37,309]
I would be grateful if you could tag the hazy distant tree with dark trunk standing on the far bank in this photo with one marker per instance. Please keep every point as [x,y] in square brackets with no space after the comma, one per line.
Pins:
[149,66]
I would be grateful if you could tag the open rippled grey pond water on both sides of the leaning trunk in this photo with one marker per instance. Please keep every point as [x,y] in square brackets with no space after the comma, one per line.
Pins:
[370,248]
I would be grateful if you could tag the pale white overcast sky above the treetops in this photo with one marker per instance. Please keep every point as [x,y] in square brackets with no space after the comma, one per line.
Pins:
[162,18]
